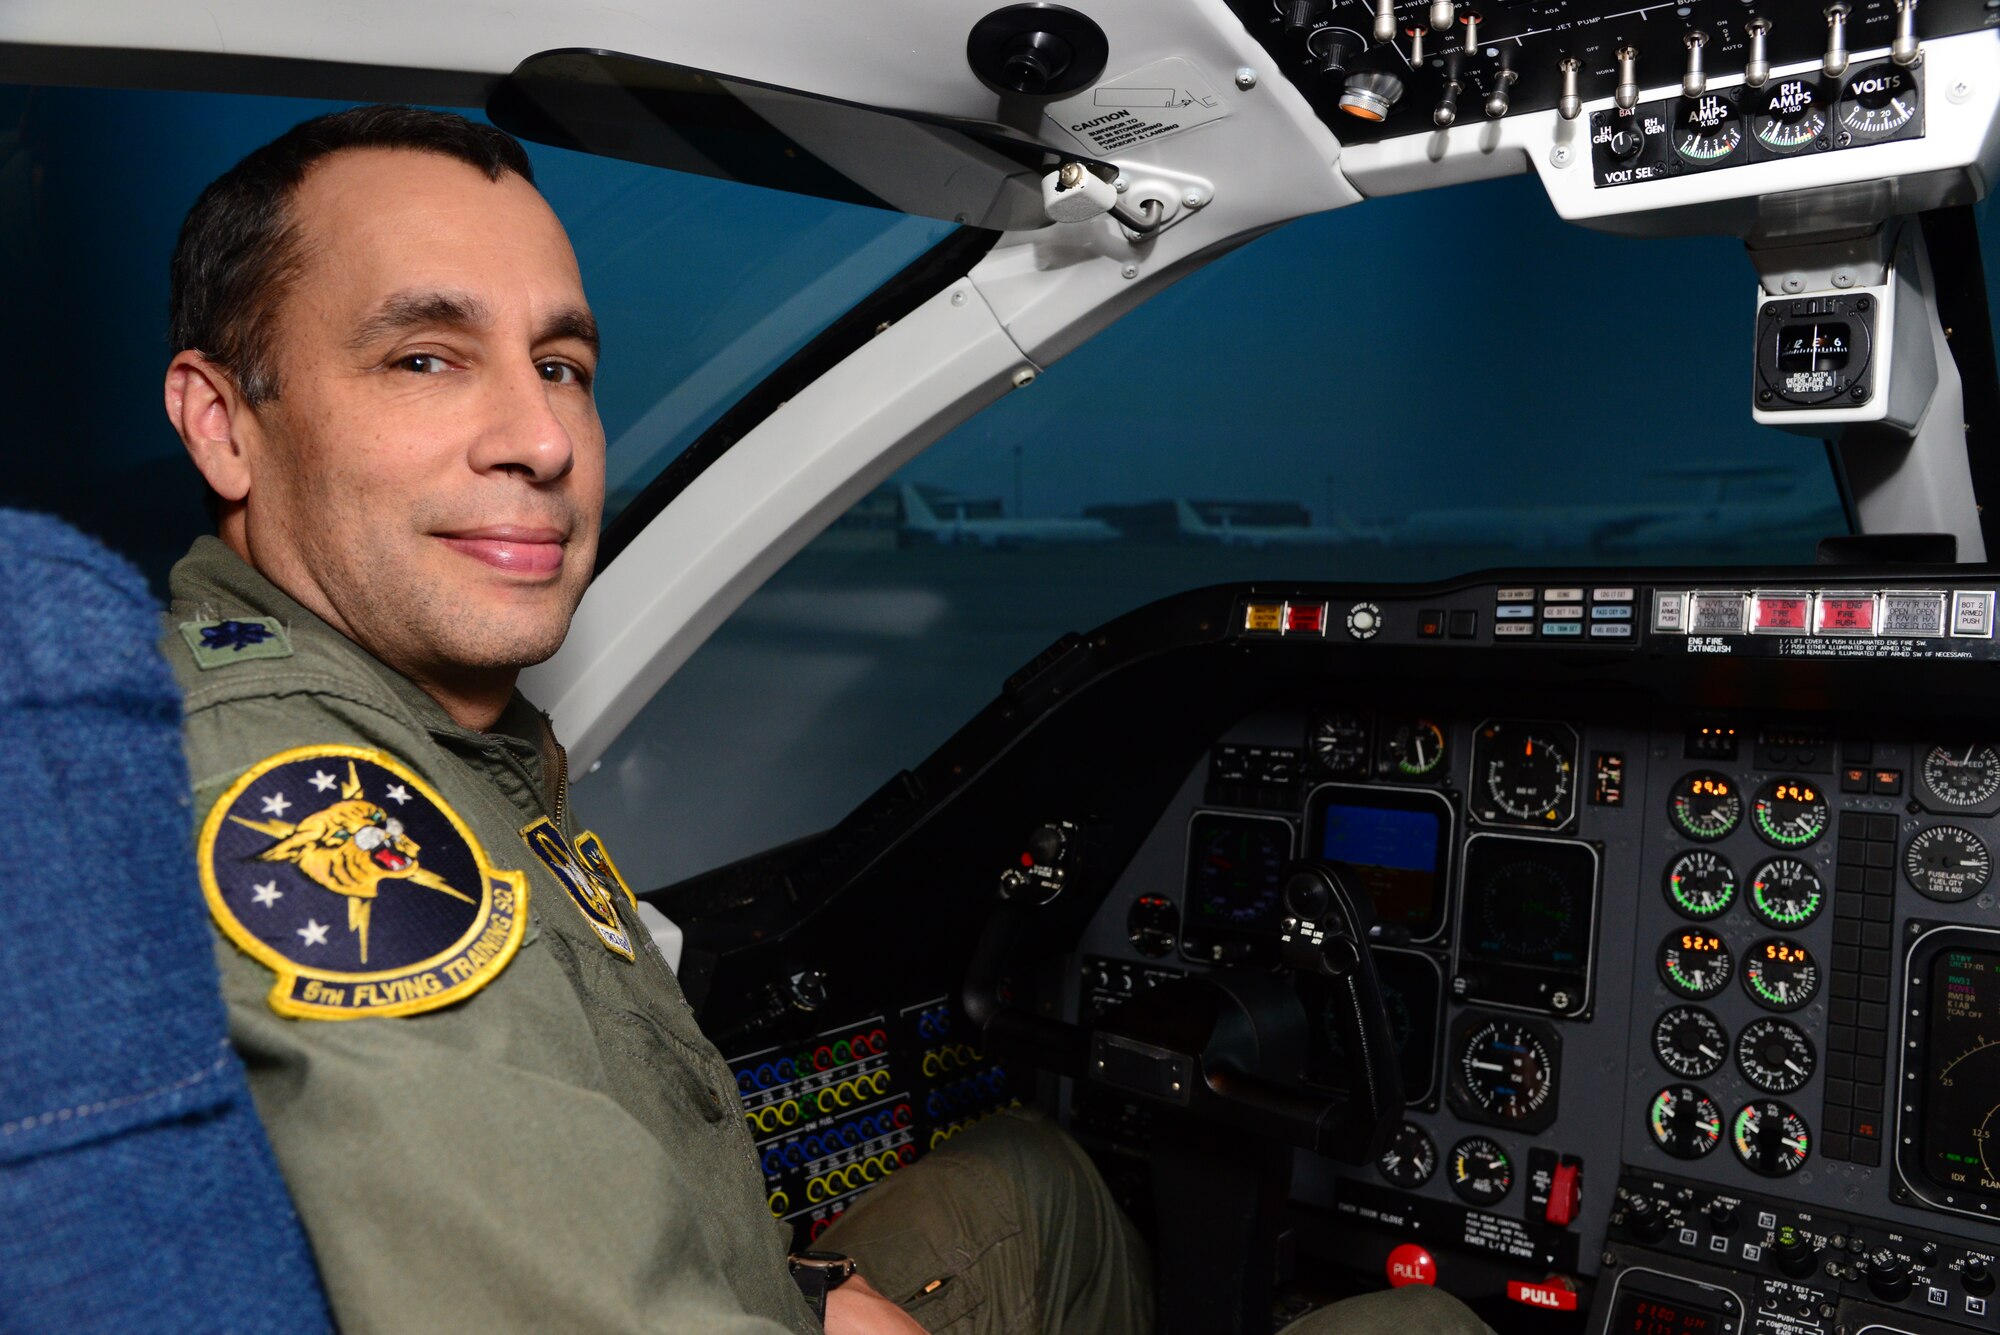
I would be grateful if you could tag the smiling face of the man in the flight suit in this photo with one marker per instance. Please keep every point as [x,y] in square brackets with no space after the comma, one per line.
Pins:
[433,469]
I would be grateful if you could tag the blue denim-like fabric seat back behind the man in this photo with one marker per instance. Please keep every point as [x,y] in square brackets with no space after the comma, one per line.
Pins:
[137,1188]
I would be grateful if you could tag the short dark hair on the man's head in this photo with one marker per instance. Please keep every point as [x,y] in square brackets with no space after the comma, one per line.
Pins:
[241,249]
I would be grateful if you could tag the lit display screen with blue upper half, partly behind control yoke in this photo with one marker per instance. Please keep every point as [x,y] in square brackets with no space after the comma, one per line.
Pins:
[1391,846]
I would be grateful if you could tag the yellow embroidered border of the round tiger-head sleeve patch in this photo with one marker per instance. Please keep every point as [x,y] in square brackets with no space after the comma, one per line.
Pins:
[291,972]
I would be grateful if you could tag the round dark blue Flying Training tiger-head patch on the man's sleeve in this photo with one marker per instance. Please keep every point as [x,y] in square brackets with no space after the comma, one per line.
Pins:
[357,884]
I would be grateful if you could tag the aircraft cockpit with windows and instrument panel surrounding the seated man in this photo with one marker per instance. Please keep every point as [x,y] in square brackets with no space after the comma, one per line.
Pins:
[1379,605]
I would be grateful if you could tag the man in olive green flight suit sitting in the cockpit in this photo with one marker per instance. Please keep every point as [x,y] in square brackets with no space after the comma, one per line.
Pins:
[383,373]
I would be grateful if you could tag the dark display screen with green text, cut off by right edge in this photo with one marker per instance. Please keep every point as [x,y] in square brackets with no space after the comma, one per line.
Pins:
[1963,1072]
